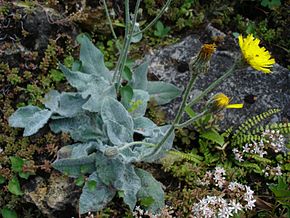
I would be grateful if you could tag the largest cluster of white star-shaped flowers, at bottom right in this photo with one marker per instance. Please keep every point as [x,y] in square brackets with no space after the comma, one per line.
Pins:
[235,197]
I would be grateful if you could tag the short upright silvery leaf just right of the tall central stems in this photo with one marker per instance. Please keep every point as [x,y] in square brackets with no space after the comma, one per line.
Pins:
[140,76]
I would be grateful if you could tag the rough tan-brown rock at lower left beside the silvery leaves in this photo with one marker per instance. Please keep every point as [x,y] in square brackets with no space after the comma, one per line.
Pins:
[54,196]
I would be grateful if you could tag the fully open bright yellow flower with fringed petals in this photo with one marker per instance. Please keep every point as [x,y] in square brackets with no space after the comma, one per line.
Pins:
[258,57]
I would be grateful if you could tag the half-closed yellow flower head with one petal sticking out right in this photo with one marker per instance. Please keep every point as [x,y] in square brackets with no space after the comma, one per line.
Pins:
[221,101]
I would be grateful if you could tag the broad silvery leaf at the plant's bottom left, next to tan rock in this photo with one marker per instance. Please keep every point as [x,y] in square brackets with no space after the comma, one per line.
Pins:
[96,199]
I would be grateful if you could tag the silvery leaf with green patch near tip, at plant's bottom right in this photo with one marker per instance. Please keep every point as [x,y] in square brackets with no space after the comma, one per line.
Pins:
[151,192]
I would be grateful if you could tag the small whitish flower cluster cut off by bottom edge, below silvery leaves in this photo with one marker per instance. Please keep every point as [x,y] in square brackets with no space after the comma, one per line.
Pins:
[165,213]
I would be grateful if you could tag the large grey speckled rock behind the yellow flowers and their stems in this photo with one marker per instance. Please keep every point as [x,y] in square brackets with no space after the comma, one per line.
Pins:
[270,90]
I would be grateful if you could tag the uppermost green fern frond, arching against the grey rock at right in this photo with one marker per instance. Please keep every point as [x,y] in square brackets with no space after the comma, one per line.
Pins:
[251,122]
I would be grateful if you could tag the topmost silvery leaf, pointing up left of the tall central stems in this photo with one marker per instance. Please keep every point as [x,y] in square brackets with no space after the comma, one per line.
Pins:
[92,59]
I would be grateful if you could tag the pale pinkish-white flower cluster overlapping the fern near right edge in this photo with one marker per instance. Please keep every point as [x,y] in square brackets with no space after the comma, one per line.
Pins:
[271,140]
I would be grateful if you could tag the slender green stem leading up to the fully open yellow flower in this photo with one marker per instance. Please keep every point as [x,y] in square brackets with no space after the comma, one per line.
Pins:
[214,84]
